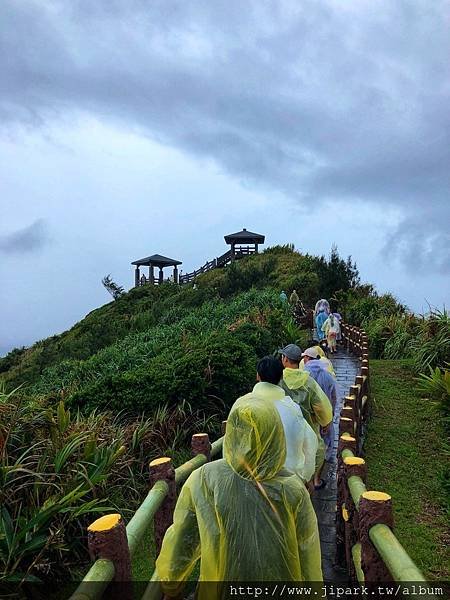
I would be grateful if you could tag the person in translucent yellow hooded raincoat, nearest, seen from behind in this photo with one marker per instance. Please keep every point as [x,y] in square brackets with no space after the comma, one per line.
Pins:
[244,516]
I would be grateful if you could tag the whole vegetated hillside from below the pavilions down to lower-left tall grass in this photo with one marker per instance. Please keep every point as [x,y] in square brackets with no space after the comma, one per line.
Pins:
[137,377]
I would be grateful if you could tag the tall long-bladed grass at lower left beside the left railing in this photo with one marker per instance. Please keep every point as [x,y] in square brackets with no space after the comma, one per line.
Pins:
[57,469]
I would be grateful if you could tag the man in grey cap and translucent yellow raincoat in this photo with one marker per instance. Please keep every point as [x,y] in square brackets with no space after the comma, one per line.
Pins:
[306,392]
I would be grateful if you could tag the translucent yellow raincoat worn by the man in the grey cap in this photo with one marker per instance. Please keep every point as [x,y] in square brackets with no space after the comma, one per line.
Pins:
[316,407]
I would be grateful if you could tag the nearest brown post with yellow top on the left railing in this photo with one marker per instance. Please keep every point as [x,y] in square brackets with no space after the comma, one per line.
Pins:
[107,539]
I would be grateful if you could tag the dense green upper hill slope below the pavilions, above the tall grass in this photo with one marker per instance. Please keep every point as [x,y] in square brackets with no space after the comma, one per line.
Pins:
[159,344]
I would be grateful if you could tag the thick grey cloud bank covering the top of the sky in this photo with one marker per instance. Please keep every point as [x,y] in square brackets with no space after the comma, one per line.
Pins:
[319,100]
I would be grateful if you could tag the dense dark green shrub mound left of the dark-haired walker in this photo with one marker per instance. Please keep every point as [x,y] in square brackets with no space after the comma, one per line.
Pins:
[219,365]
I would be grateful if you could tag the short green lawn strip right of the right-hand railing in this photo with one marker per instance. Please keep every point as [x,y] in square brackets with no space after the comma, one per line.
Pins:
[405,457]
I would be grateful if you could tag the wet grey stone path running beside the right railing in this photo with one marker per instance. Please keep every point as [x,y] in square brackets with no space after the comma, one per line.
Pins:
[324,501]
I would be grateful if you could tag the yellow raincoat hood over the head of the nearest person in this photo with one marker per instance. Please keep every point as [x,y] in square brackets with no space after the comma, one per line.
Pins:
[254,444]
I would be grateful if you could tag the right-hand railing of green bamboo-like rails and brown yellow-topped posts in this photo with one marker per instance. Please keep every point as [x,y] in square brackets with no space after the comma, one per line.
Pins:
[366,544]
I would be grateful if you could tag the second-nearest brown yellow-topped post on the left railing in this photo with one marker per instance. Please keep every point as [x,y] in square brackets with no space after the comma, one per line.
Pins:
[161,469]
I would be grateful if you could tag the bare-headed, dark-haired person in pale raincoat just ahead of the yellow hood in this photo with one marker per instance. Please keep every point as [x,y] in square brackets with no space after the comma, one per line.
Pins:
[301,440]
